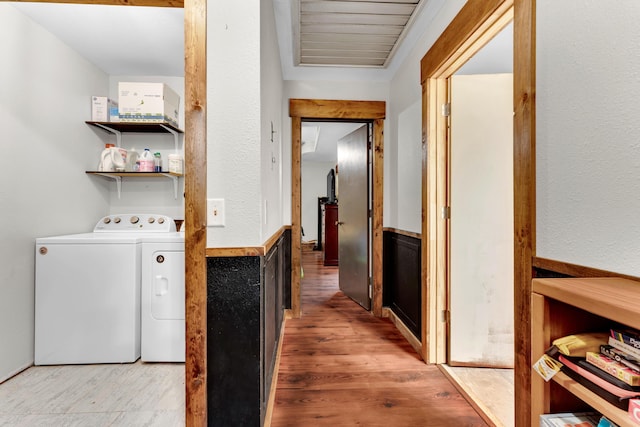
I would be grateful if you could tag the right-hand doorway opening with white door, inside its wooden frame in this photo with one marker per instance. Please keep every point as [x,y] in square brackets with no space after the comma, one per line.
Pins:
[480,228]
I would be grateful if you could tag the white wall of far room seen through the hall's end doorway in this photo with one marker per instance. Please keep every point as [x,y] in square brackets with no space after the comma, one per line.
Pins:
[314,185]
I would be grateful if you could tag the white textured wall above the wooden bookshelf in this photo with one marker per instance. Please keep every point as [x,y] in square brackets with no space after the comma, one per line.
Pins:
[588,133]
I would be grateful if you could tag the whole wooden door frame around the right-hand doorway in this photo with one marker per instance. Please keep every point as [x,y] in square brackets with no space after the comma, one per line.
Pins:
[476,23]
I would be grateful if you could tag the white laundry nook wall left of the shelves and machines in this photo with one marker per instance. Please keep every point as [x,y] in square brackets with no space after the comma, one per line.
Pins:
[45,91]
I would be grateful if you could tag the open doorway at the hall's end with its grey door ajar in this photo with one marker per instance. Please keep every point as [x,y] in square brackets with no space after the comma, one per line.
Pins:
[337,222]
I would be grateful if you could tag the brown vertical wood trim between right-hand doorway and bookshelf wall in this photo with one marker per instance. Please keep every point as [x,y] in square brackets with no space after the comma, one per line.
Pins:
[524,183]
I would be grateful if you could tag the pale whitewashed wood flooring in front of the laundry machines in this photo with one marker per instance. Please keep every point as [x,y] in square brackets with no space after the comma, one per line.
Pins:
[137,394]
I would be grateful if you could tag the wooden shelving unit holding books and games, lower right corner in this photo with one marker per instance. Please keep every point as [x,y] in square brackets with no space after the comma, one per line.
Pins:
[564,306]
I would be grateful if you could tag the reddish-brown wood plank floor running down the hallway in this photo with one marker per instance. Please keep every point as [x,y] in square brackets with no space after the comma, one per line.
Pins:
[340,366]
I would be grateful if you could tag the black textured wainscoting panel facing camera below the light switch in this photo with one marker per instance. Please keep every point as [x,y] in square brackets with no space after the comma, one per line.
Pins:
[233,341]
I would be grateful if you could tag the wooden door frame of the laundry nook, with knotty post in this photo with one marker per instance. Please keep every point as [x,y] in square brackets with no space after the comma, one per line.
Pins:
[195,146]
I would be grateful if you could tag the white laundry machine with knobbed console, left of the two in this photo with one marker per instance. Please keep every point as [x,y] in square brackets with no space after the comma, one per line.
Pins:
[87,292]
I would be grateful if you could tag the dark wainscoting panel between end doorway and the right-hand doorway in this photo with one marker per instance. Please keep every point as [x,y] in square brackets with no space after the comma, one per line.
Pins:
[402,290]
